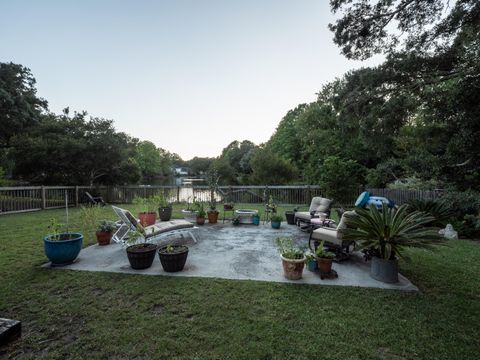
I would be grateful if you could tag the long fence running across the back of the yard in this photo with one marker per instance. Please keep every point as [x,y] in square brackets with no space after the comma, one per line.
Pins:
[32,198]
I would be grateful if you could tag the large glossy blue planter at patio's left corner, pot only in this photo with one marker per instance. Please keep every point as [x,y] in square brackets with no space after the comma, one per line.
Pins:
[63,252]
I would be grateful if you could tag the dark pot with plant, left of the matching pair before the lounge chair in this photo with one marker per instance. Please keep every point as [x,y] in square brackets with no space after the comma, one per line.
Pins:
[140,255]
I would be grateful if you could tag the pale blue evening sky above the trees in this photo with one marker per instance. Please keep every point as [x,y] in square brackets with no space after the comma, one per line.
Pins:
[189,75]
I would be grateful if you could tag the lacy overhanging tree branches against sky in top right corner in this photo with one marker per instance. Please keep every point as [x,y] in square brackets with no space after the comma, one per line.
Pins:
[421,26]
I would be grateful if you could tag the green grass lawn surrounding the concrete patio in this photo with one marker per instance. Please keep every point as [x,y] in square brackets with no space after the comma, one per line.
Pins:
[85,315]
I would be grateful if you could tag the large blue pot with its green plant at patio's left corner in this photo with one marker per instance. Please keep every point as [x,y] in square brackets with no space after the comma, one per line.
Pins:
[61,248]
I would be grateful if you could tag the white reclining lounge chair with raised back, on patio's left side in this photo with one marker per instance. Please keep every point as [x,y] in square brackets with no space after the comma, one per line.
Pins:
[150,233]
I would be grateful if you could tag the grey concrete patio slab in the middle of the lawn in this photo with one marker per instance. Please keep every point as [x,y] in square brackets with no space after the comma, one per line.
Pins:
[245,252]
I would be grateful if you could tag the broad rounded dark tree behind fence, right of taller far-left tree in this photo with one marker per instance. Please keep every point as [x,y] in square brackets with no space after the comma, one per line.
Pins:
[72,151]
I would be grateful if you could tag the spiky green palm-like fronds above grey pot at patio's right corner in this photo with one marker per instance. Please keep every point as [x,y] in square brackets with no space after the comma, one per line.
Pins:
[385,233]
